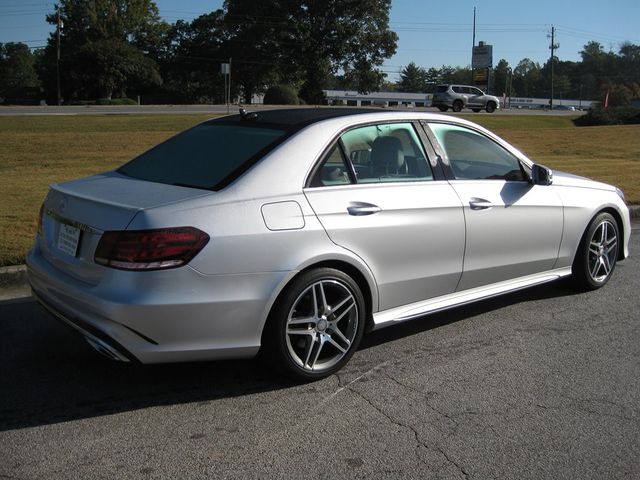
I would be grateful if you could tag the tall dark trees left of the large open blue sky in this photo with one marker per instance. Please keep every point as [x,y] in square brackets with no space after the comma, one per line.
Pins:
[118,48]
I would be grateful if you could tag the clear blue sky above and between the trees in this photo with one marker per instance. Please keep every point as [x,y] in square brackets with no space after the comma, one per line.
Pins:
[431,33]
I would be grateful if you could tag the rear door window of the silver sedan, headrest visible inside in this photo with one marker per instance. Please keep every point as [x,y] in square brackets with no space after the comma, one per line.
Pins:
[386,153]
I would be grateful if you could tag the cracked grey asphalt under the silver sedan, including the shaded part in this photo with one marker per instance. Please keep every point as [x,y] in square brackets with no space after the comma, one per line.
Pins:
[543,383]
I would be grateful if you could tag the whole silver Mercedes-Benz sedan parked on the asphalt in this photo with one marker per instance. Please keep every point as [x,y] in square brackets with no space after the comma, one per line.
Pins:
[293,232]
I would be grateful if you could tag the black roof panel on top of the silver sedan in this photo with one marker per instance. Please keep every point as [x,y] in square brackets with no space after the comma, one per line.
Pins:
[292,117]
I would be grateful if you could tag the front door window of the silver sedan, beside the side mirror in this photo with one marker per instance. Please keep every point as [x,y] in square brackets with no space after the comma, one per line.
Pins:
[473,156]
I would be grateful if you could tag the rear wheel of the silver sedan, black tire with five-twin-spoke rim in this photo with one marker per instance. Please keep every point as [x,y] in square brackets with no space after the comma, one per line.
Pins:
[316,324]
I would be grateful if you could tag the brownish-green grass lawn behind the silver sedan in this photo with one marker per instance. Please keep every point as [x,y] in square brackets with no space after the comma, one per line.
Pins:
[39,150]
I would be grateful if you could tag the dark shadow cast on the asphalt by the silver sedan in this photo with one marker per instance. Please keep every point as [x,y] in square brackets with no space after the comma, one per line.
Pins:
[50,375]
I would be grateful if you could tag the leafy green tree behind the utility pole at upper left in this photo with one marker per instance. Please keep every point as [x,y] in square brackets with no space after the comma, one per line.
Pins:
[106,47]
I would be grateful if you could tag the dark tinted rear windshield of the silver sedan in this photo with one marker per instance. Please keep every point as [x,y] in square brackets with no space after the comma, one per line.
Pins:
[207,156]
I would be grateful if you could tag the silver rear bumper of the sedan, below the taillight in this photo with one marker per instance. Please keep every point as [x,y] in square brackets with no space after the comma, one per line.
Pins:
[163,316]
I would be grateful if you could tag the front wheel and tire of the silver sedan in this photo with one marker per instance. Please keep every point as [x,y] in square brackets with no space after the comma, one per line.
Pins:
[597,254]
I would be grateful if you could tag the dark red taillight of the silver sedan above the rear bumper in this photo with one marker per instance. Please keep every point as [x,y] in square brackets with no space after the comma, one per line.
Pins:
[150,249]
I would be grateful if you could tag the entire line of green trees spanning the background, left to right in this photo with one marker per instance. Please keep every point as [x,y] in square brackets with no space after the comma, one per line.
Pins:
[122,48]
